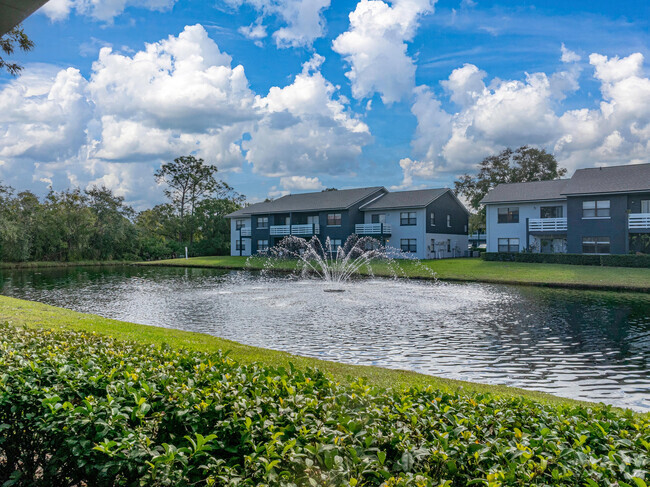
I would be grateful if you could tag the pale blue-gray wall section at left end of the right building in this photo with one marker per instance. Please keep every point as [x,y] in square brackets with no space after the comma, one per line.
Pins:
[528,210]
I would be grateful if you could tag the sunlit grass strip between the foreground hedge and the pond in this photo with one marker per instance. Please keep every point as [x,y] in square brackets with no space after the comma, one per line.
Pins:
[31,314]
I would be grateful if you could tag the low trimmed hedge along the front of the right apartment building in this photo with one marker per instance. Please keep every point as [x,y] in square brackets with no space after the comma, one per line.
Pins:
[574,259]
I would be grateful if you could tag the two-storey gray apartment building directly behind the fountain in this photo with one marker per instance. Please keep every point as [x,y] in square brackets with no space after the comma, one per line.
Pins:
[429,223]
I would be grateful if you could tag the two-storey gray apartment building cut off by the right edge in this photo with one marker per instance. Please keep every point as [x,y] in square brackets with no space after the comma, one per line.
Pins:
[597,211]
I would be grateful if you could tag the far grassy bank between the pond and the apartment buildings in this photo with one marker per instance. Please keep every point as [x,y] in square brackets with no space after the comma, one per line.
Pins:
[473,270]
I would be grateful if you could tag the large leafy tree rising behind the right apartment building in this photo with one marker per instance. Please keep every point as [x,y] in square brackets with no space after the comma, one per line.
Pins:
[524,164]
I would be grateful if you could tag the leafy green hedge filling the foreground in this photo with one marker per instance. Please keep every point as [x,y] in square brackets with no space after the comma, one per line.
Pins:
[81,409]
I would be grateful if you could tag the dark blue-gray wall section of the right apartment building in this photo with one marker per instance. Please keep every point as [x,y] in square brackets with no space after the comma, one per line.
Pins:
[614,226]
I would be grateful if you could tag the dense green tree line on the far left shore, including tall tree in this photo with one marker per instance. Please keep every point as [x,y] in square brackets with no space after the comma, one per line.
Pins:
[96,224]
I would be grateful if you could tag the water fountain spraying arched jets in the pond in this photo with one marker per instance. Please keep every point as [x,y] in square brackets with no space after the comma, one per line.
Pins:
[335,264]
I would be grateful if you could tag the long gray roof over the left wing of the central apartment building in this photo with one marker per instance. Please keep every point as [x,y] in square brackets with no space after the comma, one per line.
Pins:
[323,200]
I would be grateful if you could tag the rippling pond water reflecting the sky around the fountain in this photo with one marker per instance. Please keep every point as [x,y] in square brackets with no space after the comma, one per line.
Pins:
[586,345]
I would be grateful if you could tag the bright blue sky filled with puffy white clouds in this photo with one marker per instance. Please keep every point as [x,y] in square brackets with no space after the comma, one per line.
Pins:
[287,96]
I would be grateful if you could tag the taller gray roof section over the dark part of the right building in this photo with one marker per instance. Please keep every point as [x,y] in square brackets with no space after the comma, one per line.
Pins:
[614,179]
